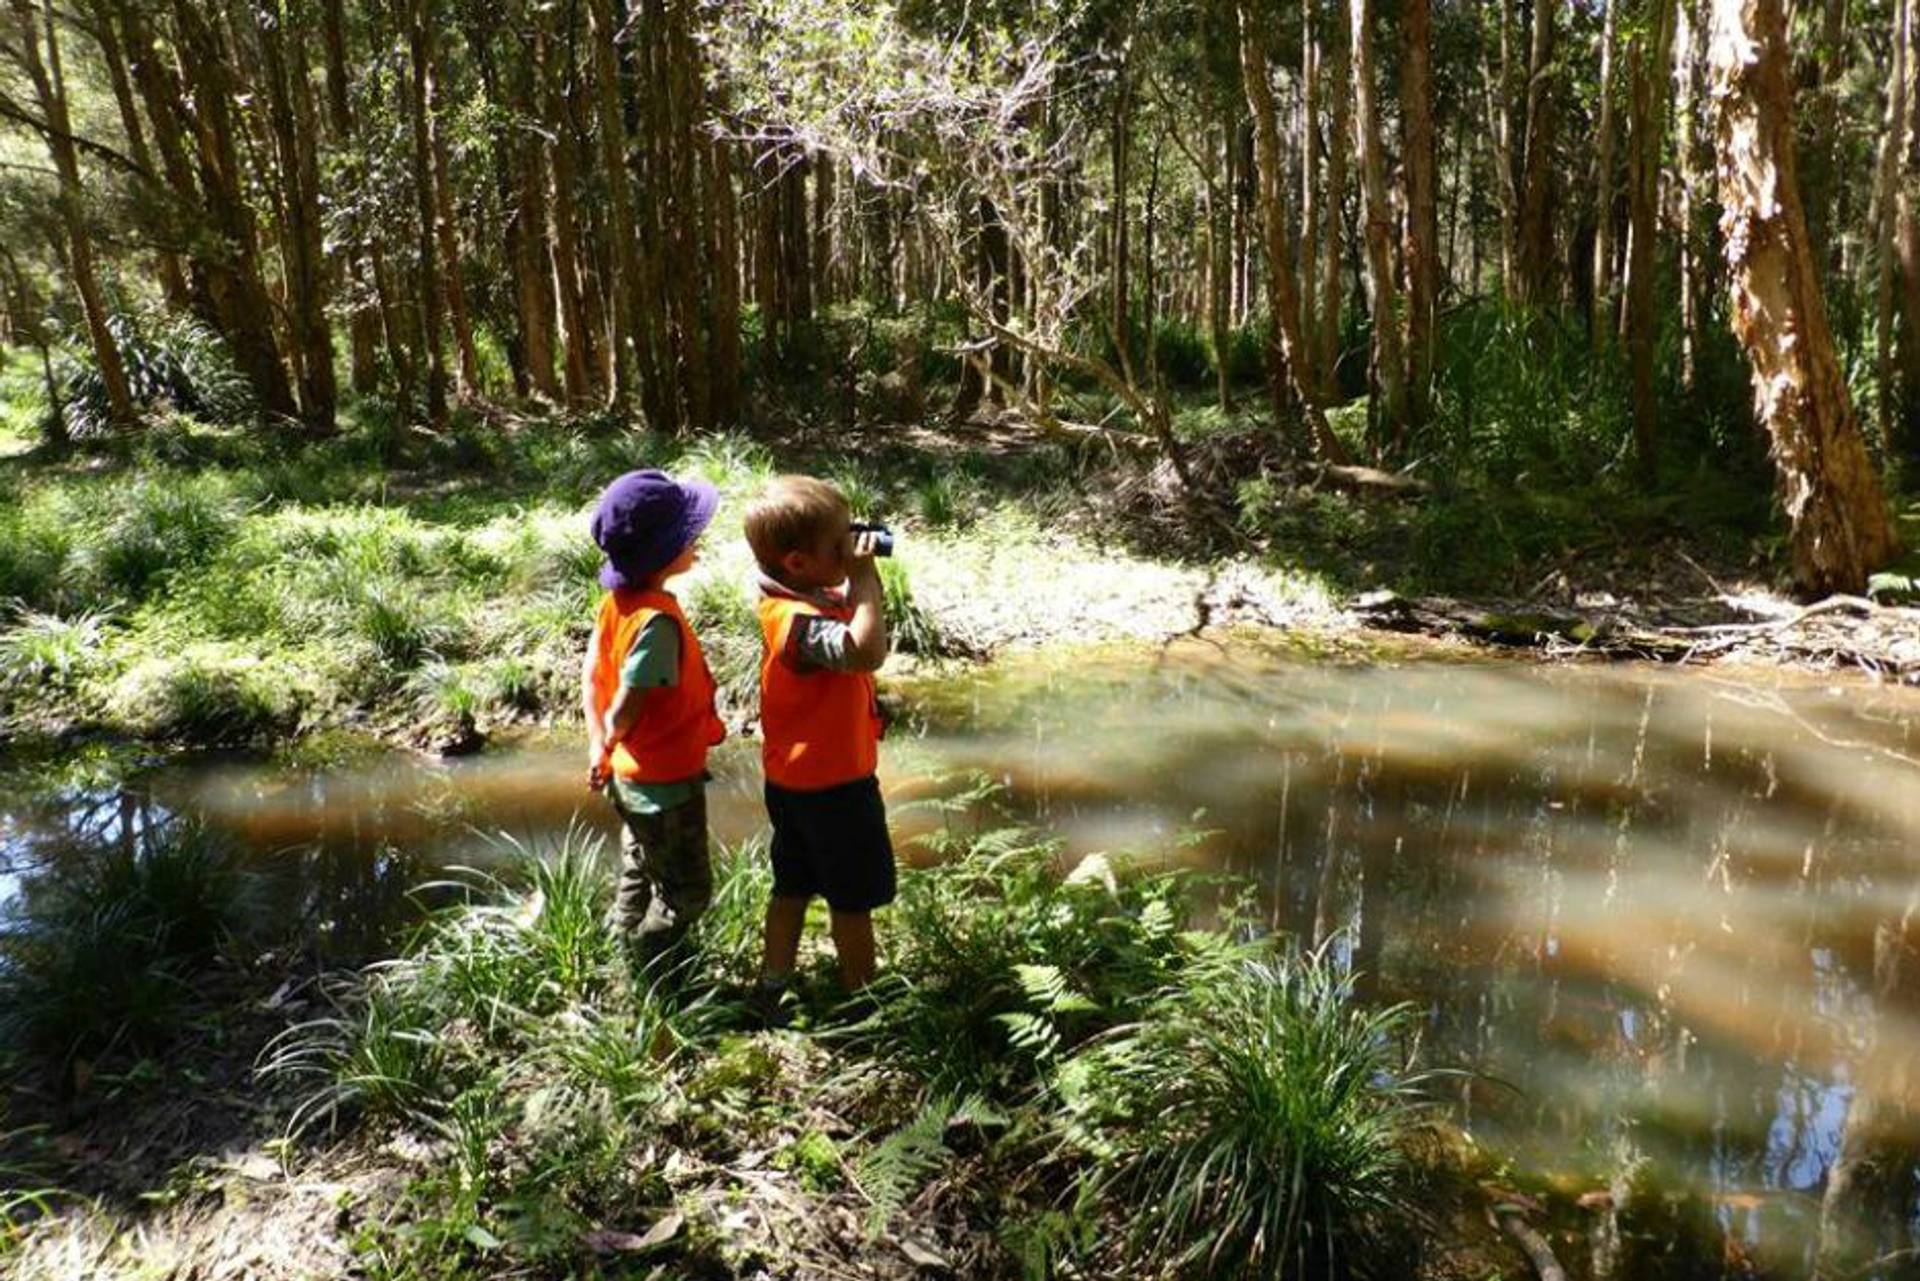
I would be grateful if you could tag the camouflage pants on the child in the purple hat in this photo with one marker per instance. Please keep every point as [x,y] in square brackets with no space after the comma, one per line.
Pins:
[667,879]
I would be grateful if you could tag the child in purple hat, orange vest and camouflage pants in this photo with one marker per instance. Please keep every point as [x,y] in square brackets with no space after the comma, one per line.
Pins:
[650,706]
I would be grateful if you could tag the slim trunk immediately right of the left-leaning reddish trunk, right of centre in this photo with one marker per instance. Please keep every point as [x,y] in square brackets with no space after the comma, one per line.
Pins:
[1389,347]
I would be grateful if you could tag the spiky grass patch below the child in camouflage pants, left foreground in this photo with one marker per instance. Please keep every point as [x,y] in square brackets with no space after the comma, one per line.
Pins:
[510,1032]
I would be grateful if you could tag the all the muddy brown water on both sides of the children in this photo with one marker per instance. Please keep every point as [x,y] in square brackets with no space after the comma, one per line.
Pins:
[1643,907]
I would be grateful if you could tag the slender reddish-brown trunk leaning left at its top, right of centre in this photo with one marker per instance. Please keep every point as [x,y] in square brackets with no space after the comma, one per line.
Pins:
[1289,360]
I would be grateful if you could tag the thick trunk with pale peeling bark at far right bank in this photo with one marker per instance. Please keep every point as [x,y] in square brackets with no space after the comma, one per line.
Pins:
[1827,481]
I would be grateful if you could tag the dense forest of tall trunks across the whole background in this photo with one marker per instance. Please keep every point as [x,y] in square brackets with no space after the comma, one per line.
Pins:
[673,214]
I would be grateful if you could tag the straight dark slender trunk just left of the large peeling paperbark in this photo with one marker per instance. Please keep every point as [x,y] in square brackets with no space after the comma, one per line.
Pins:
[1652,51]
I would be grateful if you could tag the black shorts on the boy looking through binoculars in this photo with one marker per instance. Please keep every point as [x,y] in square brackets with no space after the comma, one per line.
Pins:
[832,844]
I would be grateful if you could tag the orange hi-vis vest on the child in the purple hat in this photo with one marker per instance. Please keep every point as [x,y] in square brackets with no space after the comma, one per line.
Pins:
[669,742]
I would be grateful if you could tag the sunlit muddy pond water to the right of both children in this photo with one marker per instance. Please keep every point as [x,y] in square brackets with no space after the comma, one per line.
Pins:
[1643,904]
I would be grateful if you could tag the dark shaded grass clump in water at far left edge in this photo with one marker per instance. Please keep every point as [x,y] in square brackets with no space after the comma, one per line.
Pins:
[116,944]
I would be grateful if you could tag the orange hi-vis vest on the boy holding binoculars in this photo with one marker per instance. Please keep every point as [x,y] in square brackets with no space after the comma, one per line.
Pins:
[819,729]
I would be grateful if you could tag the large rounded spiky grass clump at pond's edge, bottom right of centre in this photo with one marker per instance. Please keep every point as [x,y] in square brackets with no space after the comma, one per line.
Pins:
[1257,1121]
